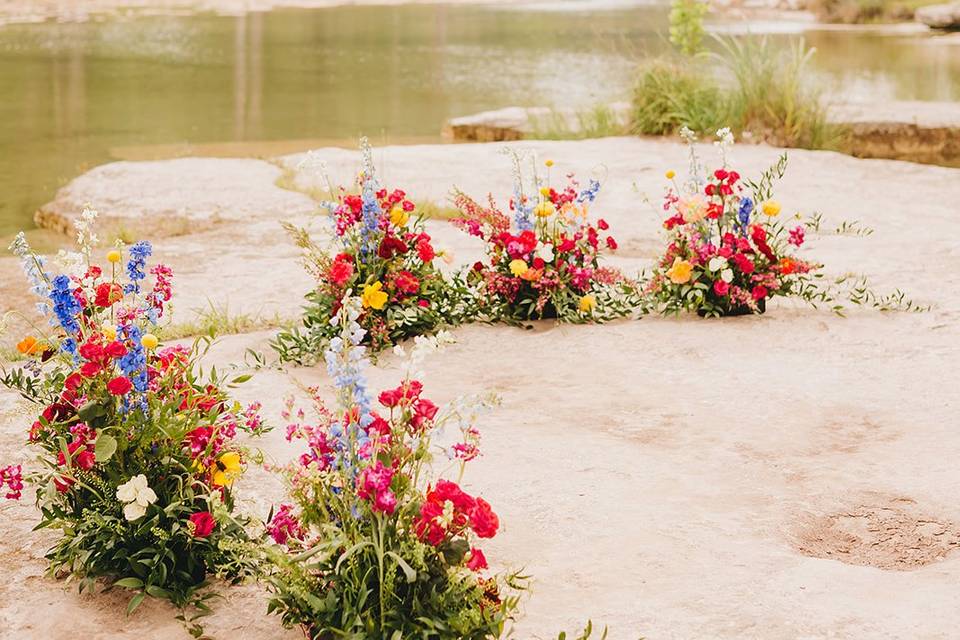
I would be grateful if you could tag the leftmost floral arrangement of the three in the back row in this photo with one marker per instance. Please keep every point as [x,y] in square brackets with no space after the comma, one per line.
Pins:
[382,252]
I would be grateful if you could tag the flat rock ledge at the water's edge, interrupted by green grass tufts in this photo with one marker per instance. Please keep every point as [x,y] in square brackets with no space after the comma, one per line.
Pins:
[925,132]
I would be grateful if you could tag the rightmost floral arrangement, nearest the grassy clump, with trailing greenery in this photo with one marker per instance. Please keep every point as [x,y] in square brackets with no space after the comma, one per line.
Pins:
[729,251]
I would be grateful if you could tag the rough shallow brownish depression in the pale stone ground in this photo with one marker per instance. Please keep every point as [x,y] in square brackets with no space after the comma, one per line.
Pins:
[888,534]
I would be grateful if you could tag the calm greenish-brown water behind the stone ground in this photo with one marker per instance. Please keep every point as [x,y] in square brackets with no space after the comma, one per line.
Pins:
[78,95]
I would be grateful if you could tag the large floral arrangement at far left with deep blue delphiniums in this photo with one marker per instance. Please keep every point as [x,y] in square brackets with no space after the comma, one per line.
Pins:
[137,451]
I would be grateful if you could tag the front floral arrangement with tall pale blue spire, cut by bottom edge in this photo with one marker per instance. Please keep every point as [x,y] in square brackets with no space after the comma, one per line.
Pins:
[370,547]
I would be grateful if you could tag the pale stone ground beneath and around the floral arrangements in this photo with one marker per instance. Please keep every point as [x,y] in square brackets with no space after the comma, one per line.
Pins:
[786,476]
